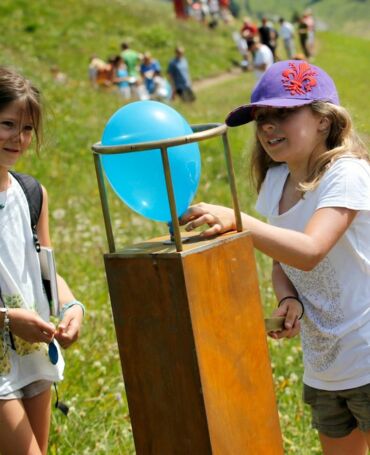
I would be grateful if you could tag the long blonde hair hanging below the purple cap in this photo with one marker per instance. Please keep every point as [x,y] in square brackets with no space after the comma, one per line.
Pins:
[341,140]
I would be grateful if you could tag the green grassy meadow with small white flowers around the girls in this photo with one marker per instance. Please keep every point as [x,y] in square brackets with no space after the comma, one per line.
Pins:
[37,35]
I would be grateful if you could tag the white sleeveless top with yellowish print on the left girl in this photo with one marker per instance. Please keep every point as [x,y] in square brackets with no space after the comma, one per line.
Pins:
[21,287]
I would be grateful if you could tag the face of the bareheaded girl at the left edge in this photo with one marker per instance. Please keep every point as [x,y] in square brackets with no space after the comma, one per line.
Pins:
[16,129]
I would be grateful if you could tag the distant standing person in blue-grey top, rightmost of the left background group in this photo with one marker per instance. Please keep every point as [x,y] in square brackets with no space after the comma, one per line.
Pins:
[179,76]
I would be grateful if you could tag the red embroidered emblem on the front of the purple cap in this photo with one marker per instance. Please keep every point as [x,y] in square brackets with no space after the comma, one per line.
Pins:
[300,79]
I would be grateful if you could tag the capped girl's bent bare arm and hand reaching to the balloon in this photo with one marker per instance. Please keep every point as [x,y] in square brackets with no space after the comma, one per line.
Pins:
[302,250]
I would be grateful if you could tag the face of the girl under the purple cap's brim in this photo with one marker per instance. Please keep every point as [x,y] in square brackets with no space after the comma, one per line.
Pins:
[289,135]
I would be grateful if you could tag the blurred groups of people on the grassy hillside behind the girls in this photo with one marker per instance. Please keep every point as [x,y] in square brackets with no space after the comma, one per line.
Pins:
[139,76]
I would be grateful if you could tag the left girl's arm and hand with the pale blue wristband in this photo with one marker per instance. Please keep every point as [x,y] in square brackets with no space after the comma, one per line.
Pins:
[69,328]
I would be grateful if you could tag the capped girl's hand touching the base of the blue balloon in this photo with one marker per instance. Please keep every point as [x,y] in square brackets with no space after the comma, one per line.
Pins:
[219,219]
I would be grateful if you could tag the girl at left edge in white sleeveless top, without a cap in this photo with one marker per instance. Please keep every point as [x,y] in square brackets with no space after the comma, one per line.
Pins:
[26,370]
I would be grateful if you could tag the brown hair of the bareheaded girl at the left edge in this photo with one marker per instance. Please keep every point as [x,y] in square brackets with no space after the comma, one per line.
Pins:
[15,87]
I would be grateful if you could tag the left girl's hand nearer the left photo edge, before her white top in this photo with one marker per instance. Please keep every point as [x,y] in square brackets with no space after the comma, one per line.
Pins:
[29,326]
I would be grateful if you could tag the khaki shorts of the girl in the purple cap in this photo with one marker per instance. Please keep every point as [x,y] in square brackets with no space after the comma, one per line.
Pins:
[336,413]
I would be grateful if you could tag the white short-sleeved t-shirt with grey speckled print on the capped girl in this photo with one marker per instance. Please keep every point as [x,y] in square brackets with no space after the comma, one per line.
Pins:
[336,293]
